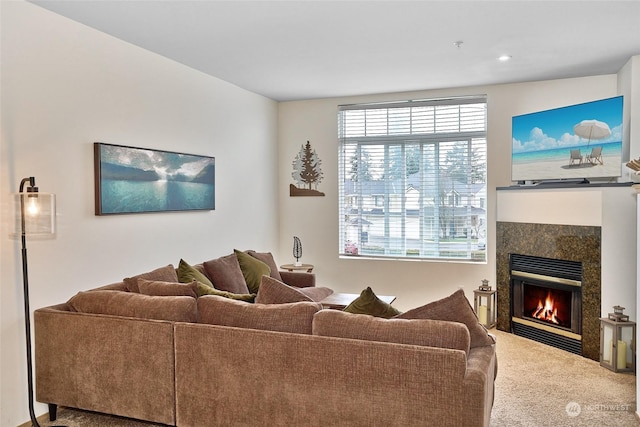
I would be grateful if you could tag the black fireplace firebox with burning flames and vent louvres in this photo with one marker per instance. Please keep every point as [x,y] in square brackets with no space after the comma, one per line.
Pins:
[546,300]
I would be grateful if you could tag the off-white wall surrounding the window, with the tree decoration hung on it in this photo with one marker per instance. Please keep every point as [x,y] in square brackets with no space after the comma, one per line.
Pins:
[314,219]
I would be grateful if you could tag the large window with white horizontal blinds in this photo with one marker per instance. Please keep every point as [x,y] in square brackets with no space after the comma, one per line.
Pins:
[413,179]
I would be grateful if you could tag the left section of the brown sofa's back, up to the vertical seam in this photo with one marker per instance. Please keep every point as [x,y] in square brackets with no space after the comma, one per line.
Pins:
[116,365]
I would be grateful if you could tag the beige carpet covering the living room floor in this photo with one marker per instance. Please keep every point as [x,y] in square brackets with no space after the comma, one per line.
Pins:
[535,385]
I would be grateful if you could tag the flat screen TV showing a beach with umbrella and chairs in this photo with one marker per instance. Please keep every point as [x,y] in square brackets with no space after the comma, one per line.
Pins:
[574,142]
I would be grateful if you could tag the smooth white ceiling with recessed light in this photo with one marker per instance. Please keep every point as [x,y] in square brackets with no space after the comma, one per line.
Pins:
[294,50]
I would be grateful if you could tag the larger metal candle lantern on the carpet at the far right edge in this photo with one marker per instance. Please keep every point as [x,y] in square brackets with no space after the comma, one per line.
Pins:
[617,342]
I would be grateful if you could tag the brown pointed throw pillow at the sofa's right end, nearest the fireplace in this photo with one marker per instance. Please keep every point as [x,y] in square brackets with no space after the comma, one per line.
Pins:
[454,308]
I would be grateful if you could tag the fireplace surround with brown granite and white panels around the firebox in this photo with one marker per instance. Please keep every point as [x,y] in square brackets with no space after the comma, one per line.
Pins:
[593,225]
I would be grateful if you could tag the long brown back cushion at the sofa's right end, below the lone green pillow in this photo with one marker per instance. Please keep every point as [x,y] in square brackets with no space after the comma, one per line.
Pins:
[432,333]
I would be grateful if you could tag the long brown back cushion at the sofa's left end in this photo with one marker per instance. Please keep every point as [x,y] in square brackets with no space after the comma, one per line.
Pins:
[129,304]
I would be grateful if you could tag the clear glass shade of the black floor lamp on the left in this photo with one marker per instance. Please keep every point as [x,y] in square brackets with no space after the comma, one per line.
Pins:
[39,214]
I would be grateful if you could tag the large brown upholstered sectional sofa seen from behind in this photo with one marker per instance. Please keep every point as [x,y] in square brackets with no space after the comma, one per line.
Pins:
[216,361]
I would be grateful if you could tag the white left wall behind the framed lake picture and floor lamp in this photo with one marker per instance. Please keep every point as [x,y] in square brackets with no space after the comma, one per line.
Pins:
[65,86]
